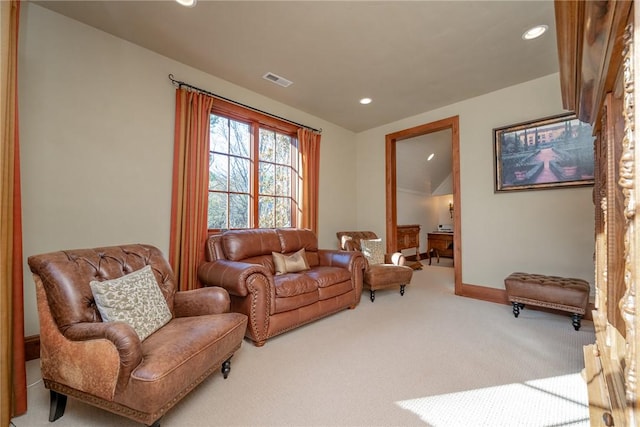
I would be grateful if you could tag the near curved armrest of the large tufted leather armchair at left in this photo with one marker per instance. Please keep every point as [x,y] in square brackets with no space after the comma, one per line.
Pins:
[123,337]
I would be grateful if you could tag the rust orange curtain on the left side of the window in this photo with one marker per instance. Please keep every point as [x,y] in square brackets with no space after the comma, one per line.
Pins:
[189,201]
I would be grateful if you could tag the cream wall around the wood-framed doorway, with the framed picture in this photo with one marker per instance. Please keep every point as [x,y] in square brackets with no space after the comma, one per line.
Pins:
[547,231]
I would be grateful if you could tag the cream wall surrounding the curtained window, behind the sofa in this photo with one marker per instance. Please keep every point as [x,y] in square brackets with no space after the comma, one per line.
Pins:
[96,129]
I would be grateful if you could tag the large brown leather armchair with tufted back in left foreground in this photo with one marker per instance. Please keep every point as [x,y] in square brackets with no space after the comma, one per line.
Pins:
[106,364]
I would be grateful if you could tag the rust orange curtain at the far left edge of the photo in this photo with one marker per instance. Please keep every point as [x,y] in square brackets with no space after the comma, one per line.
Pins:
[13,395]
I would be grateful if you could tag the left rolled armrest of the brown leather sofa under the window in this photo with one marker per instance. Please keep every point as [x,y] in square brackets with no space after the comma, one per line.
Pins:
[230,275]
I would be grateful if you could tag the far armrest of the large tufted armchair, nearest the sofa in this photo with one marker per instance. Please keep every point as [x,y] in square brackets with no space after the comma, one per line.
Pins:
[197,302]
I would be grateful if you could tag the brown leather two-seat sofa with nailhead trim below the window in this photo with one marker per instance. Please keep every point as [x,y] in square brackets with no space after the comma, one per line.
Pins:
[241,261]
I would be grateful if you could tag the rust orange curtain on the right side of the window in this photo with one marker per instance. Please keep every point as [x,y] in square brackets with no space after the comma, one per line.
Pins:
[309,142]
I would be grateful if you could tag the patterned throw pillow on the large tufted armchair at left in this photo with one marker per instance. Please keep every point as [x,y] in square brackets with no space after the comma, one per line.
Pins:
[135,299]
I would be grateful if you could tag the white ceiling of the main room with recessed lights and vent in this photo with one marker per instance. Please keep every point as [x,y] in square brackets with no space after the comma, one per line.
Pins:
[410,57]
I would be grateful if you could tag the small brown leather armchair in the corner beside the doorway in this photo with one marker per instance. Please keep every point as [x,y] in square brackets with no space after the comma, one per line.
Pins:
[392,272]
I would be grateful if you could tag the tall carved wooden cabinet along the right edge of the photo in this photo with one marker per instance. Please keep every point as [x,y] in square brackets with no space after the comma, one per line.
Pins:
[599,70]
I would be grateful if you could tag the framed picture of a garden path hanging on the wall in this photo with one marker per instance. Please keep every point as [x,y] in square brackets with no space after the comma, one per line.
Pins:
[548,153]
